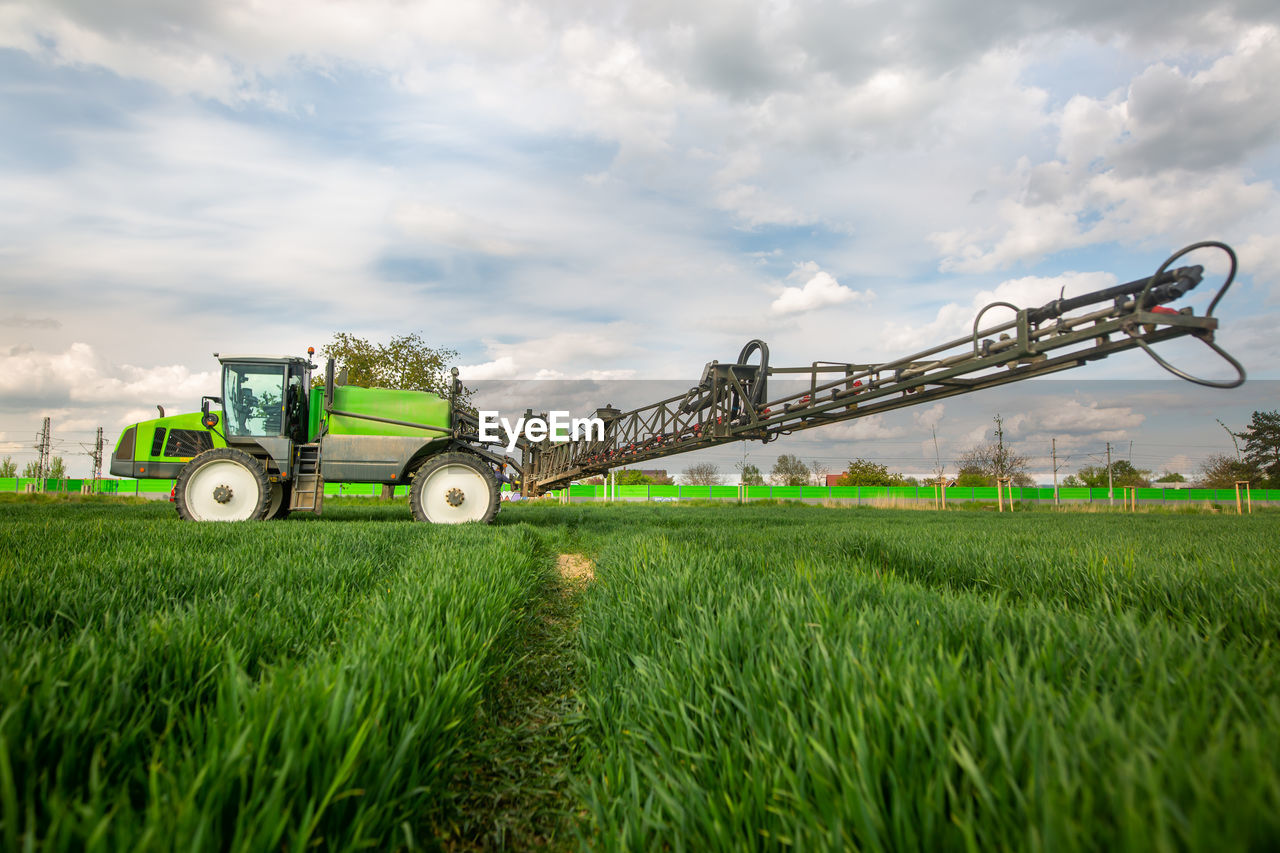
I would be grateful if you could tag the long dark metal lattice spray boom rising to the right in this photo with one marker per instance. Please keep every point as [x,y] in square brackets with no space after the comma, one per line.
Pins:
[732,403]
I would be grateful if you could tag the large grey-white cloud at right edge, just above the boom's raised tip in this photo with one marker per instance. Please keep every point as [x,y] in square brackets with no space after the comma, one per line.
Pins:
[1164,159]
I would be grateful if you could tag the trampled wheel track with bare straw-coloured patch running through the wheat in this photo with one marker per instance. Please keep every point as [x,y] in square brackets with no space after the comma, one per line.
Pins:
[513,792]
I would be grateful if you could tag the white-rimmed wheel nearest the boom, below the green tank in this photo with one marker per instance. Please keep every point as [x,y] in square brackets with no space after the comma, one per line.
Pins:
[455,477]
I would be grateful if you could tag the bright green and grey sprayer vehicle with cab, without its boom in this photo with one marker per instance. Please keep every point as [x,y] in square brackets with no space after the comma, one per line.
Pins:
[266,448]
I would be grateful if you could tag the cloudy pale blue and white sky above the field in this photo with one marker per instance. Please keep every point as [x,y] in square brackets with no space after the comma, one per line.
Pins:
[618,190]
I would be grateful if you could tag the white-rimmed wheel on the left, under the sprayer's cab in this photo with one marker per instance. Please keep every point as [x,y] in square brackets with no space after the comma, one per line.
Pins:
[222,485]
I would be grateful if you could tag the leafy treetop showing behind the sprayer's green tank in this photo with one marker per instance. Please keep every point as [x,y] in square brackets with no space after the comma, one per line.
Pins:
[405,363]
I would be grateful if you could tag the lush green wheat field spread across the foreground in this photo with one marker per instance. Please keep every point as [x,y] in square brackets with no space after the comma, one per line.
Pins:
[733,678]
